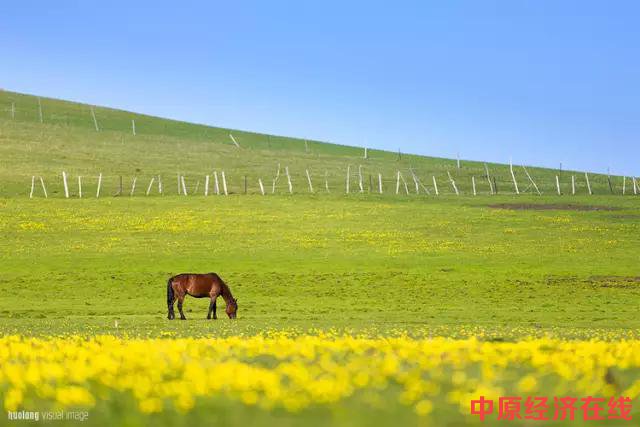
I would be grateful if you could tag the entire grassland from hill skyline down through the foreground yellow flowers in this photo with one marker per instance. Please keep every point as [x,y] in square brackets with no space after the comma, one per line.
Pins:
[435,299]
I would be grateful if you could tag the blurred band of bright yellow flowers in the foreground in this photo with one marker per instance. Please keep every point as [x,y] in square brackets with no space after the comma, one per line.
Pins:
[293,372]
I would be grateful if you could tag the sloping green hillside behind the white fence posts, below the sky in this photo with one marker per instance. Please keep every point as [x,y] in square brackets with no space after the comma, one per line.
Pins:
[43,137]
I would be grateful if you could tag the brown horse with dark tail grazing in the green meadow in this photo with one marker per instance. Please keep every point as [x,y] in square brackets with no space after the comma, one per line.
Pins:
[199,286]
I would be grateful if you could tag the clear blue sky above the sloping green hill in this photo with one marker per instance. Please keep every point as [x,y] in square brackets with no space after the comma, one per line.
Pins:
[541,81]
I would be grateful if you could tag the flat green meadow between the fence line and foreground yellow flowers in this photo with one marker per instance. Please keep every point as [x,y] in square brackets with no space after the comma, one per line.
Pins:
[363,263]
